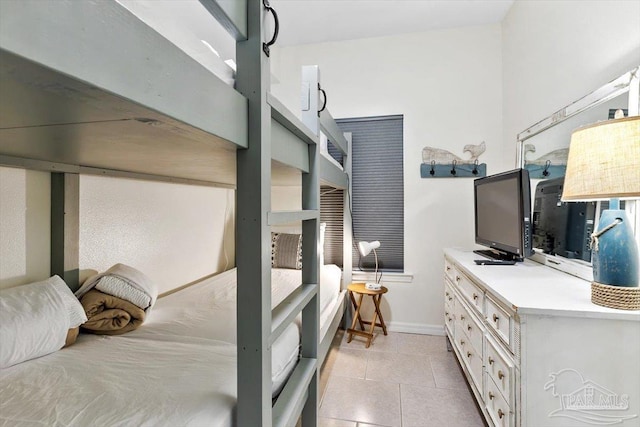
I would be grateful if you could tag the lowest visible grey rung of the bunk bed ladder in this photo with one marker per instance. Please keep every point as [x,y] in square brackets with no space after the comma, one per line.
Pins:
[294,394]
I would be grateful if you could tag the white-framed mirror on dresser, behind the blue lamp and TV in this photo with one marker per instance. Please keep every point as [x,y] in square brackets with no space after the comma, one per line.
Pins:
[543,148]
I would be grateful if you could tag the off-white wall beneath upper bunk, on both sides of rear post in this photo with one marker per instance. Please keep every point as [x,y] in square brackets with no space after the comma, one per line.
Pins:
[172,232]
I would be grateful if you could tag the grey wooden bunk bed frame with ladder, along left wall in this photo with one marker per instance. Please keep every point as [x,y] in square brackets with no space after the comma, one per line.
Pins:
[70,106]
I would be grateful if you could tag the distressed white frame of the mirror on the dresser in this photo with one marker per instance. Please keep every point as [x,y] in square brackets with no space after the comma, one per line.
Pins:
[629,82]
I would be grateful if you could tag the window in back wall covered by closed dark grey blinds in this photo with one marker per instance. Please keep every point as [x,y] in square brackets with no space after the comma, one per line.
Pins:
[377,202]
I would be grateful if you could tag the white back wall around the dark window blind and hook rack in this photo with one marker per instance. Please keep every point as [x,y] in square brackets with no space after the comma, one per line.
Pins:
[448,86]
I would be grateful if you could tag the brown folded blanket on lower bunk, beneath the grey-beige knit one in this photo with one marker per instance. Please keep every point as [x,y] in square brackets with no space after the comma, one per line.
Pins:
[109,315]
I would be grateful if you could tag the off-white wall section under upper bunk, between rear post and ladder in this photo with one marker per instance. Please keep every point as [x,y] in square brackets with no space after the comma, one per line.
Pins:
[171,232]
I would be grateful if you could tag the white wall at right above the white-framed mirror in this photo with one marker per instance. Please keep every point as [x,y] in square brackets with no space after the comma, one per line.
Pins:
[555,52]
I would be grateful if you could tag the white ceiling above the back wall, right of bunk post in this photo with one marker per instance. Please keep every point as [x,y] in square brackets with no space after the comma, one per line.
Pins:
[317,21]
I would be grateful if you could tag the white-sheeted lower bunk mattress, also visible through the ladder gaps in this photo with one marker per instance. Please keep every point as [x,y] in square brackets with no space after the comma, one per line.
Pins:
[179,368]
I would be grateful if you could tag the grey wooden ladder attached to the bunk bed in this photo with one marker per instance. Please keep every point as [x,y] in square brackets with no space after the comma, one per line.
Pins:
[258,325]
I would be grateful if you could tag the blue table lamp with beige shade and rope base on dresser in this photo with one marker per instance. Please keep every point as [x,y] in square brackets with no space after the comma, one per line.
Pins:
[604,163]
